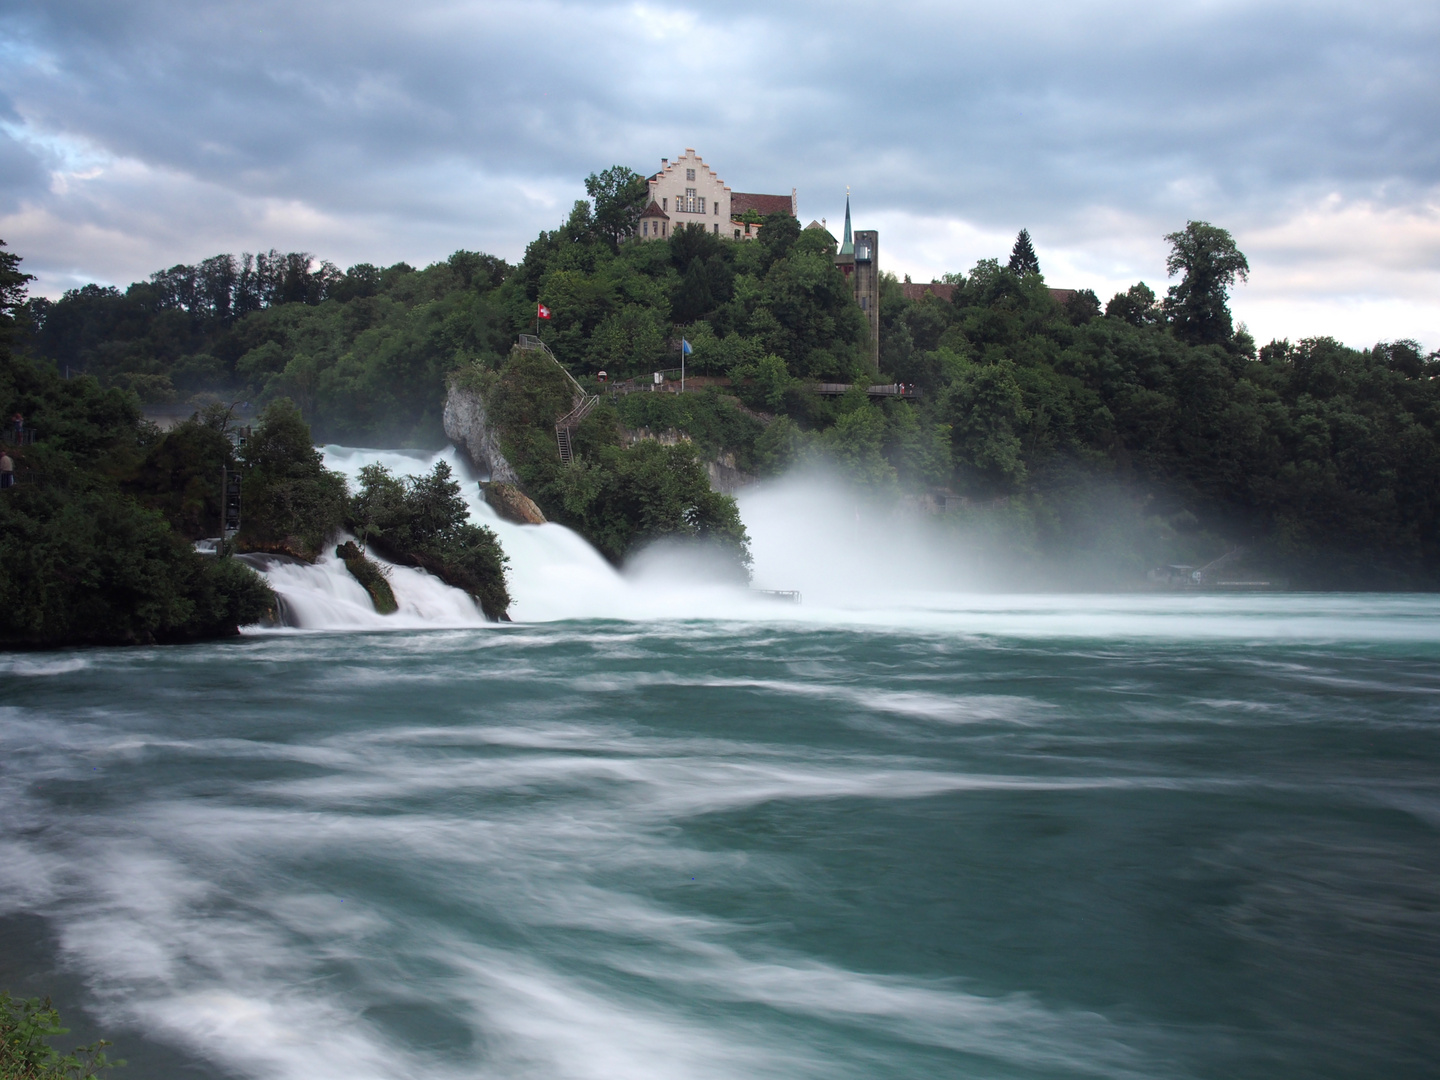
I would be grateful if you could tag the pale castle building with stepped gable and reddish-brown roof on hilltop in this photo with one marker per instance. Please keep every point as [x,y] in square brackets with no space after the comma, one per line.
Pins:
[689,192]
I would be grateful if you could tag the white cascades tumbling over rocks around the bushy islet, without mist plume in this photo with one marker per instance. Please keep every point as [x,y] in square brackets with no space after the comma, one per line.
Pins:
[554,574]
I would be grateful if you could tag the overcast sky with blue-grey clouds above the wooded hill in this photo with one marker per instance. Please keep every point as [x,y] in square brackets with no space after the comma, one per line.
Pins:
[146,133]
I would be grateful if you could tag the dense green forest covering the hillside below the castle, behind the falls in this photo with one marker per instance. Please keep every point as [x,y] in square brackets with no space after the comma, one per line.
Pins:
[1144,430]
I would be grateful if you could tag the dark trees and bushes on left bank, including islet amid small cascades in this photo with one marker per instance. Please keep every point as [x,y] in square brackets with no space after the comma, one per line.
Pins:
[100,510]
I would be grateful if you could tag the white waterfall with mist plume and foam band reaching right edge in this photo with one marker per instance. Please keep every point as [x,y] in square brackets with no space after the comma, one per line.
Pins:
[855,568]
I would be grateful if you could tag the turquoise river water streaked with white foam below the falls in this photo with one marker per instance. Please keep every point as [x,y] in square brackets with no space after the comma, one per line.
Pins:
[1167,837]
